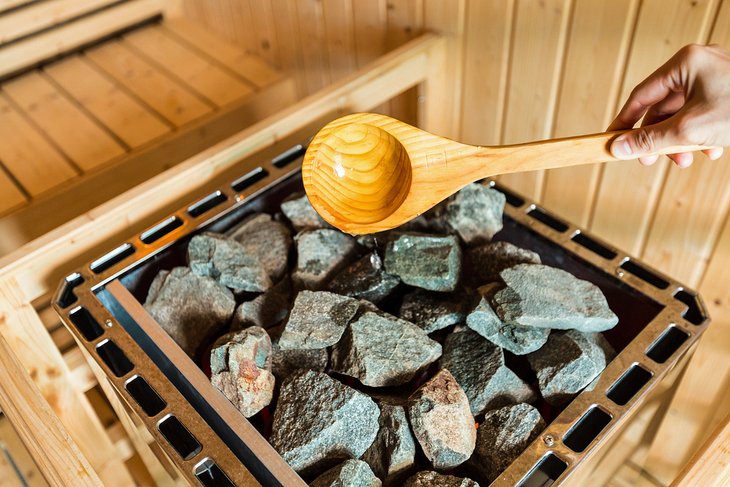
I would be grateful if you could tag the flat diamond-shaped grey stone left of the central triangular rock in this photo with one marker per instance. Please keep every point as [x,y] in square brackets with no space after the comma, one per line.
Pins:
[317,320]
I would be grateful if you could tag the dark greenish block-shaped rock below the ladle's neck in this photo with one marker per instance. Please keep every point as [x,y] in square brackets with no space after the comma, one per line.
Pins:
[428,262]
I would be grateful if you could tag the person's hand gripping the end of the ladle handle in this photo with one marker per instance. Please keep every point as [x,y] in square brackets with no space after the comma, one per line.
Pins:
[684,102]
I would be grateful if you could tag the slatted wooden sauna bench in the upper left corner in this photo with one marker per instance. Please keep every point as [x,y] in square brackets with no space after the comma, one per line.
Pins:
[97,96]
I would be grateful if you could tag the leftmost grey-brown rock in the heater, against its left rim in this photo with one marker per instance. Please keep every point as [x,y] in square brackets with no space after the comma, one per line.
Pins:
[192,309]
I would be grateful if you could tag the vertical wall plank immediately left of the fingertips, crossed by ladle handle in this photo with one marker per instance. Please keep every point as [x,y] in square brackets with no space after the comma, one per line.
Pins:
[596,54]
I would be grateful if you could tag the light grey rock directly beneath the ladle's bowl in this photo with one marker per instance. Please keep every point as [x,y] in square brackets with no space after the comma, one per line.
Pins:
[321,254]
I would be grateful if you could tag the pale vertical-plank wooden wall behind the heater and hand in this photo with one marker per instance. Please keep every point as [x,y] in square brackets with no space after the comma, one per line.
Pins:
[531,69]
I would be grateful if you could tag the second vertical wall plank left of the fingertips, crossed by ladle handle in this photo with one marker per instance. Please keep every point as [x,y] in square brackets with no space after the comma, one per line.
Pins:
[536,63]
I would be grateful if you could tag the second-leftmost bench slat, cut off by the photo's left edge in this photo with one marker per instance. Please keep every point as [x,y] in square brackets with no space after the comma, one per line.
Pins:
[27,155]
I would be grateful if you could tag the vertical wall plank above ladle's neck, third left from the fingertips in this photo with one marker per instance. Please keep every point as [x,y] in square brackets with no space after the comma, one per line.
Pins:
[486,62]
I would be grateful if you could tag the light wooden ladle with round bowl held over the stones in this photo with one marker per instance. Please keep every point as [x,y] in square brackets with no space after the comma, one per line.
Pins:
[365,173]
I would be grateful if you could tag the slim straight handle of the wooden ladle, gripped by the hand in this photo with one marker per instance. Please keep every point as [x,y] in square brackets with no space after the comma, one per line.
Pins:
[570,151]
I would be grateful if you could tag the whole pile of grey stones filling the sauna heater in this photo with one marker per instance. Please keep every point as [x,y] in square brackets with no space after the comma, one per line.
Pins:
[384,359]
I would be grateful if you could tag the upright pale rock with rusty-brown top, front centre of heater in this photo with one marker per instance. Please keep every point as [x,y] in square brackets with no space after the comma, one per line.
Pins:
[442,421]
